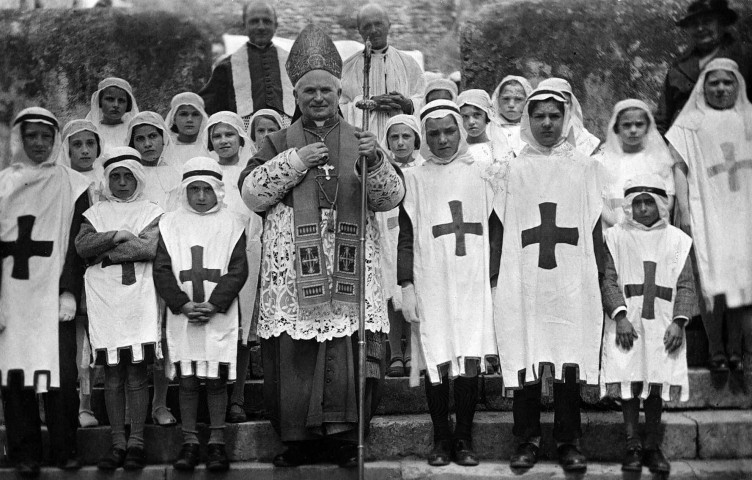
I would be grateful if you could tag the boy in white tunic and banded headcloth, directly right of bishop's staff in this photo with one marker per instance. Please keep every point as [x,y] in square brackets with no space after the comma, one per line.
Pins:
[444,270]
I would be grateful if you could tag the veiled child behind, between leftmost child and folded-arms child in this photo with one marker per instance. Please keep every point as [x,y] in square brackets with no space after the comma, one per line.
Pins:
[82,149]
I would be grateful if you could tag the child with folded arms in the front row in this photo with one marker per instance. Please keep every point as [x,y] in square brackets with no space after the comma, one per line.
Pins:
[119,239]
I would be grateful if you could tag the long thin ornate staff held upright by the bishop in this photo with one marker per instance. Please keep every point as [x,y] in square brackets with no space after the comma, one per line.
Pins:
[362,260]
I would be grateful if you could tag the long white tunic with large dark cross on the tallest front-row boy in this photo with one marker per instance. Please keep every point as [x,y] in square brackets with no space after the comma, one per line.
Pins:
[548,307]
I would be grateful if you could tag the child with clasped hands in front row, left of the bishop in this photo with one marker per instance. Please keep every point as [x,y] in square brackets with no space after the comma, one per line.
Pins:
[200,268]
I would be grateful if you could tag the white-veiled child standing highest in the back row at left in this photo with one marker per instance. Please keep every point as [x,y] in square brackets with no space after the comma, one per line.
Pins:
[112,108]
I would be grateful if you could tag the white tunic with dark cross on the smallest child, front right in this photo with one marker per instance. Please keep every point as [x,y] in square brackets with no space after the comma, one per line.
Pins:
[666,249]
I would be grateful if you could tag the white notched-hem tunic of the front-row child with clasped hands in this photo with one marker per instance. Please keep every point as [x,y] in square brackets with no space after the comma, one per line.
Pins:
[201,348]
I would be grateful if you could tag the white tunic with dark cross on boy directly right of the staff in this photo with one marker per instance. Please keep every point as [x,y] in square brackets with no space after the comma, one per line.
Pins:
[451,273]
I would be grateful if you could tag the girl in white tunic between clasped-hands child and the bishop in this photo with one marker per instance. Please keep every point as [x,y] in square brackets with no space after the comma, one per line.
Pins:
[228,140]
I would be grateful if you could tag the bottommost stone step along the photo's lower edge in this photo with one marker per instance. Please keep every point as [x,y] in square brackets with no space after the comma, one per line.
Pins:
[414,469]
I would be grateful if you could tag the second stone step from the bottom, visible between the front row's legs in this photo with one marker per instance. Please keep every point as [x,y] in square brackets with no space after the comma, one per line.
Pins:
[719,434]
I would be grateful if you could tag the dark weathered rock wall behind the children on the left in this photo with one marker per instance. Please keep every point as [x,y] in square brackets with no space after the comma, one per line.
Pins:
[56,58]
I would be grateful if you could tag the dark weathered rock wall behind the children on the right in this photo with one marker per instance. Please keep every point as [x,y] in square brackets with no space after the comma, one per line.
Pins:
[608,49]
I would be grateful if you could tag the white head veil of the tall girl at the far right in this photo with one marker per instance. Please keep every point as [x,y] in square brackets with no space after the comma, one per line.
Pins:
[692,114]
